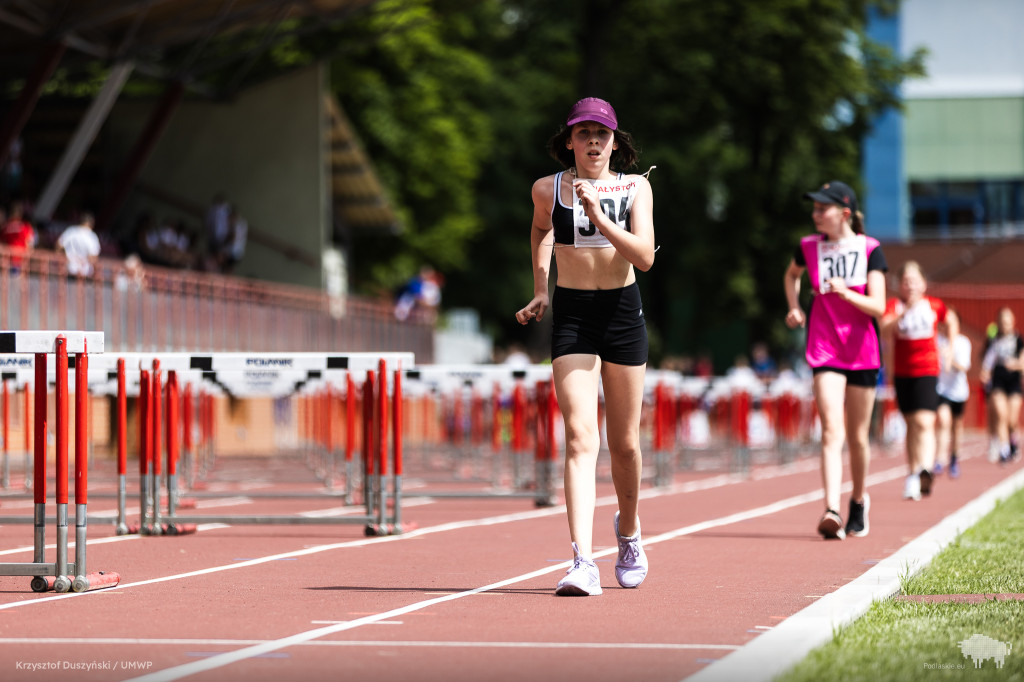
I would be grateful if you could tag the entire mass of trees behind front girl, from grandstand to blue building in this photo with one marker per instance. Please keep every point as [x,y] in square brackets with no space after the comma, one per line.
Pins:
[742,106]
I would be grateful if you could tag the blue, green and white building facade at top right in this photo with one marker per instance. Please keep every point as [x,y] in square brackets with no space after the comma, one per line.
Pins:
[952,163]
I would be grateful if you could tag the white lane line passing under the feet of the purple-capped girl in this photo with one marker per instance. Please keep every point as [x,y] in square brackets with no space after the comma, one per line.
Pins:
[227,659]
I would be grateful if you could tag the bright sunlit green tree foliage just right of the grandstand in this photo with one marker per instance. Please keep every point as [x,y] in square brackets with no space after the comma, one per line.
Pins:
[416,94]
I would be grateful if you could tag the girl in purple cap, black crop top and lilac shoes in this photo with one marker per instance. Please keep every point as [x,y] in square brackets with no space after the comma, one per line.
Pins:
[599,223]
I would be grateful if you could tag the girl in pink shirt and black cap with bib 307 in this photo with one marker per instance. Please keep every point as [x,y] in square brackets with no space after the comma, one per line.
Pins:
[846,270]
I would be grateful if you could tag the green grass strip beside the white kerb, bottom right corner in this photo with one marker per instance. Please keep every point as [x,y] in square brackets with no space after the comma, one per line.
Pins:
[909,642]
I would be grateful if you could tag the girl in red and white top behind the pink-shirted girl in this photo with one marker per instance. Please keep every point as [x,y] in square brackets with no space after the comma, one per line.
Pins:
[914,319]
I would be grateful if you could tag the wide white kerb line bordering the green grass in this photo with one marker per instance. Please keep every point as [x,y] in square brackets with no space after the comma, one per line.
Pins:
[788,644]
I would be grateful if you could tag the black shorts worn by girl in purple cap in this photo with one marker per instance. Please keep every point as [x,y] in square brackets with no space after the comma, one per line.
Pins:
[607,323]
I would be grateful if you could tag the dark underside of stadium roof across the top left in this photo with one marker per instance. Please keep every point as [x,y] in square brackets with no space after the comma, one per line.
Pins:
[212,46]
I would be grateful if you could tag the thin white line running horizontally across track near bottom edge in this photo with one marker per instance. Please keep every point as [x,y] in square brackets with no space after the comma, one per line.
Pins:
[370,644]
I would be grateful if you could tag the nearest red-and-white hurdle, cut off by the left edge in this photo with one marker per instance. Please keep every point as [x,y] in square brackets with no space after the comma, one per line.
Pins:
[62,575]
